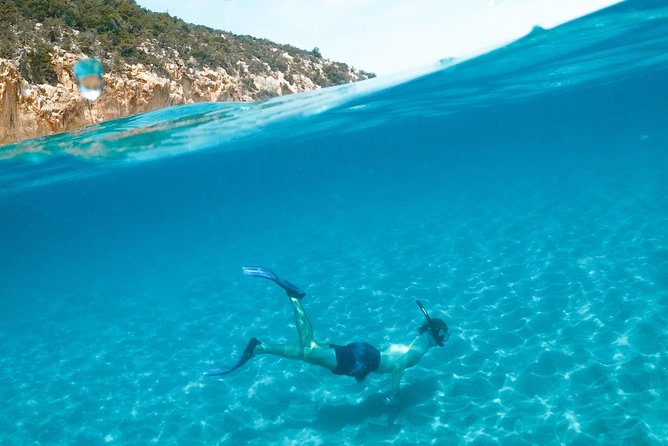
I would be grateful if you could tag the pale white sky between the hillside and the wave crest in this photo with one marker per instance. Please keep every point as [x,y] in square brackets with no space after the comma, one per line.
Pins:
[381,36]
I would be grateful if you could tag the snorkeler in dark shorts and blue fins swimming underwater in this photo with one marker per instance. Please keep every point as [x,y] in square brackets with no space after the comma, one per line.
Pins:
[356,359]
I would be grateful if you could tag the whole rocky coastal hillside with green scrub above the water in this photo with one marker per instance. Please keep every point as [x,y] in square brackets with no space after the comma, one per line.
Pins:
[38,93]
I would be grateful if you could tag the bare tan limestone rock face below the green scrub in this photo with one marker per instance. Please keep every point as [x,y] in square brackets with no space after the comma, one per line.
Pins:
[41,109]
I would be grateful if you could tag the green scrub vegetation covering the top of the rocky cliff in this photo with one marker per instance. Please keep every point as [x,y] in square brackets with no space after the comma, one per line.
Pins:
[119,32]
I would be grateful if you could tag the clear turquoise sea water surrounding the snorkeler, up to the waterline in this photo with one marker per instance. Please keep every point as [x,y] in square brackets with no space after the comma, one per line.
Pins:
[520,195]
